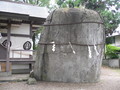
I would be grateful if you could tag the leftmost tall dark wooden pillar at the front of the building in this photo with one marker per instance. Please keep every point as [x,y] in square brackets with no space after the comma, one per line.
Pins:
[8,47]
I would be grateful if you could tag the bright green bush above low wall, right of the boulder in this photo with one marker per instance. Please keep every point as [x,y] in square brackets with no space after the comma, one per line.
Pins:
[111,52]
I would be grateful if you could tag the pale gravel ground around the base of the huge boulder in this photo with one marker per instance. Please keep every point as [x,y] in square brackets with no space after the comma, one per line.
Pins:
[110,80]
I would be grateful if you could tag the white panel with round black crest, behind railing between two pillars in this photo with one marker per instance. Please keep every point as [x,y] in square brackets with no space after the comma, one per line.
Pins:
[17,44]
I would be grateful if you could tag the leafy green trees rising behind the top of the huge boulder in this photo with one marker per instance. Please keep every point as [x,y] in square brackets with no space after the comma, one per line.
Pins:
[110,16]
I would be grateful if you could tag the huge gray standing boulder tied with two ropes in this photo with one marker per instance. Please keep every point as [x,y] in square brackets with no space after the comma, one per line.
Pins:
[63,65]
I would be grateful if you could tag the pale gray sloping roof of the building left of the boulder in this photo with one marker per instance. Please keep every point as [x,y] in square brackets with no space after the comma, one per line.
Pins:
[21,8]
